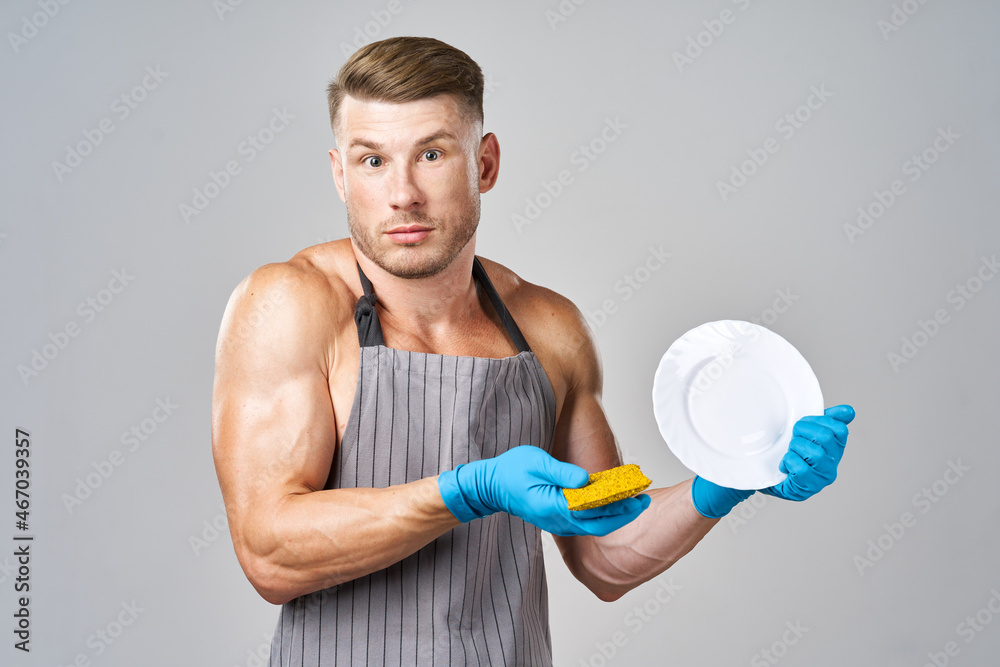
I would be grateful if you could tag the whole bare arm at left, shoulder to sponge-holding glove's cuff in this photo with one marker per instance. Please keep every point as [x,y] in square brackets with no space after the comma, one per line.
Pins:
[273,440]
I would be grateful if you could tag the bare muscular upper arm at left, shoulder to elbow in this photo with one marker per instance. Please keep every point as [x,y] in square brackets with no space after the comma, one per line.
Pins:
[273,431]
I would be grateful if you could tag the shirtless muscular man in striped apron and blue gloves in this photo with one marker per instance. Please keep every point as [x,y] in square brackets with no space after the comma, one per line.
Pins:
[394,418]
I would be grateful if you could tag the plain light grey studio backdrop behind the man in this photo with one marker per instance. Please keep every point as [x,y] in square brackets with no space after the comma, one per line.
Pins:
[826,169]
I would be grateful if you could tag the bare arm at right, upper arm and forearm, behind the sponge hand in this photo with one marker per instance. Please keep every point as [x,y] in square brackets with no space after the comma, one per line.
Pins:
[614,564]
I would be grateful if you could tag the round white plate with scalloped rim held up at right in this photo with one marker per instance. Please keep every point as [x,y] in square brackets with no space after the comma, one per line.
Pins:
[726,395]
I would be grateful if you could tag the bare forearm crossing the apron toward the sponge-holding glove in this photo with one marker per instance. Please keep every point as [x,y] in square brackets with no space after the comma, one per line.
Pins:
[315,540]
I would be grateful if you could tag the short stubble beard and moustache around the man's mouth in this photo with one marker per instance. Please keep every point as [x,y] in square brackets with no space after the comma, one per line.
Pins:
[416,260]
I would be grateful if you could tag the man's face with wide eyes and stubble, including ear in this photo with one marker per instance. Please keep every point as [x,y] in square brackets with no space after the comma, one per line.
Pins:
[411,177]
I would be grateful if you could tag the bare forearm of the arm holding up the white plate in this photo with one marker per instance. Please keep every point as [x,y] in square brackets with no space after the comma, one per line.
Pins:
[614,564]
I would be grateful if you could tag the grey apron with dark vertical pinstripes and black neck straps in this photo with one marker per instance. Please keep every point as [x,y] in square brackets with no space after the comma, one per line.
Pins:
[477,595]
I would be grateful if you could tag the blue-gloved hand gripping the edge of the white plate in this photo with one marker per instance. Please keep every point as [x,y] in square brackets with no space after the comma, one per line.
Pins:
[811,462]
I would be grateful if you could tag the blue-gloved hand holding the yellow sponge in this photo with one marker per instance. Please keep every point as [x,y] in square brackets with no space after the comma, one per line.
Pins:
[527,482]
